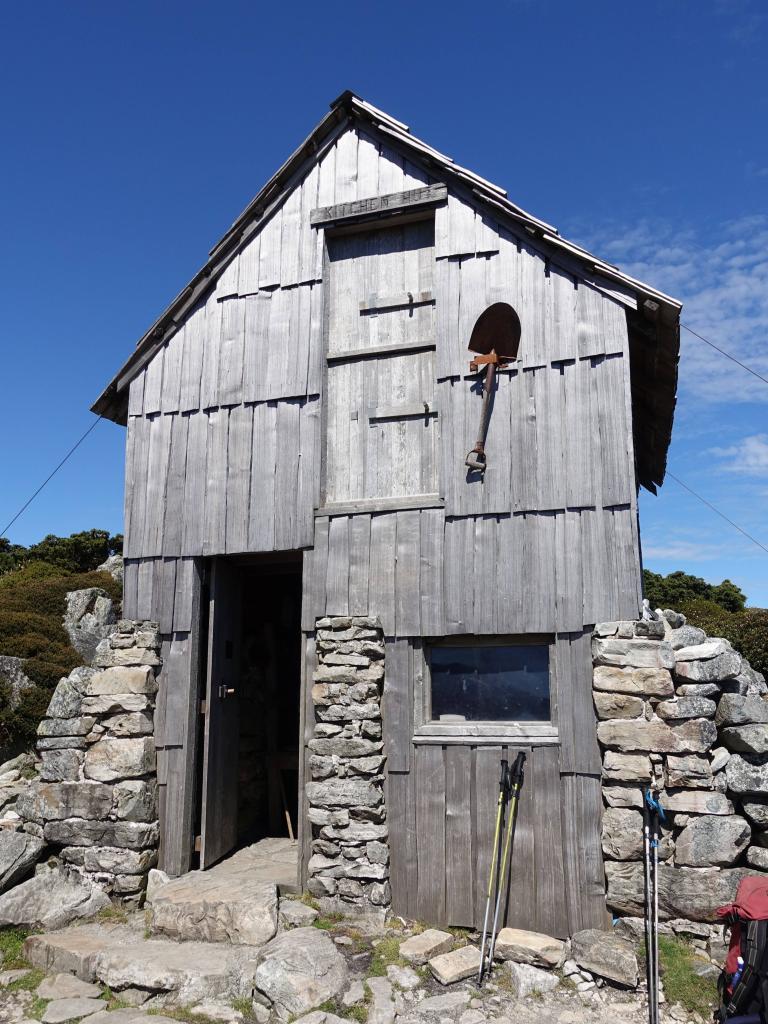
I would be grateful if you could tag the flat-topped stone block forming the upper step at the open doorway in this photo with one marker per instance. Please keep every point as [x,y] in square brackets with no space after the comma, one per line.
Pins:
[224,905]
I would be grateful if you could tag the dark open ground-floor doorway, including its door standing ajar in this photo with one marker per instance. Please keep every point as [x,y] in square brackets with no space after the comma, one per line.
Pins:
[249,767]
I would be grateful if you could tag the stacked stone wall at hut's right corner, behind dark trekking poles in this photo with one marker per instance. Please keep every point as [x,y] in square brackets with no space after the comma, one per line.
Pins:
[689,714]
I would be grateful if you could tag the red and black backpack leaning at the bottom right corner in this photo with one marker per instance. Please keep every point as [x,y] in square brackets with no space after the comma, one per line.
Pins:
[748,917]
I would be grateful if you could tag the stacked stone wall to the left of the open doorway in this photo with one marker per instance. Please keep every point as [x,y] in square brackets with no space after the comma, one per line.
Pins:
[95,804]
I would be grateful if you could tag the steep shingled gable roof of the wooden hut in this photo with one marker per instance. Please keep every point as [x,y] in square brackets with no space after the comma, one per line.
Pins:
[653,316]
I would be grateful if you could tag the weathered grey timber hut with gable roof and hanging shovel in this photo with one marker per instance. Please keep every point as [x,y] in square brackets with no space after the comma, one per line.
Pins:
[300,420]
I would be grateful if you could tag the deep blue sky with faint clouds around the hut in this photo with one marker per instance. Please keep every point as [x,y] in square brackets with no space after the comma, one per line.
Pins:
[133,135]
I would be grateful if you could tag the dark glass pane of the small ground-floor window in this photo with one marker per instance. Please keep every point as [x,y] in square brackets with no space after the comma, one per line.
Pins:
[490,684]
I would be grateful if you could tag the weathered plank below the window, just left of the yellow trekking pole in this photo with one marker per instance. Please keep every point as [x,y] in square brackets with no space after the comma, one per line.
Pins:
[459,855]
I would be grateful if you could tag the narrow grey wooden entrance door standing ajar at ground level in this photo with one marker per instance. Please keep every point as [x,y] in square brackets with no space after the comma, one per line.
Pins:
[221,747]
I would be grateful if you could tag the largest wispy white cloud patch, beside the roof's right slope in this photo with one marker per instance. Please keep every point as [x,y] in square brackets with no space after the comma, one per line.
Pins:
[722,279]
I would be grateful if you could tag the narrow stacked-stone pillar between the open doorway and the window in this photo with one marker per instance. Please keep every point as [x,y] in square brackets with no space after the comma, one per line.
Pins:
[349,871]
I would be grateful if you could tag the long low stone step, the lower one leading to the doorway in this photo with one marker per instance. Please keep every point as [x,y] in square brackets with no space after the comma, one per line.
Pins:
[121,958]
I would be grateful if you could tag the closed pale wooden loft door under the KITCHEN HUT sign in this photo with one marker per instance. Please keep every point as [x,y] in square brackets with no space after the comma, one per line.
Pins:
[381,432]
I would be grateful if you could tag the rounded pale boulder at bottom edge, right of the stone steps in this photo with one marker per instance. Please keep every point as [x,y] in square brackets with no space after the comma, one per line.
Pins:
[300,970]
